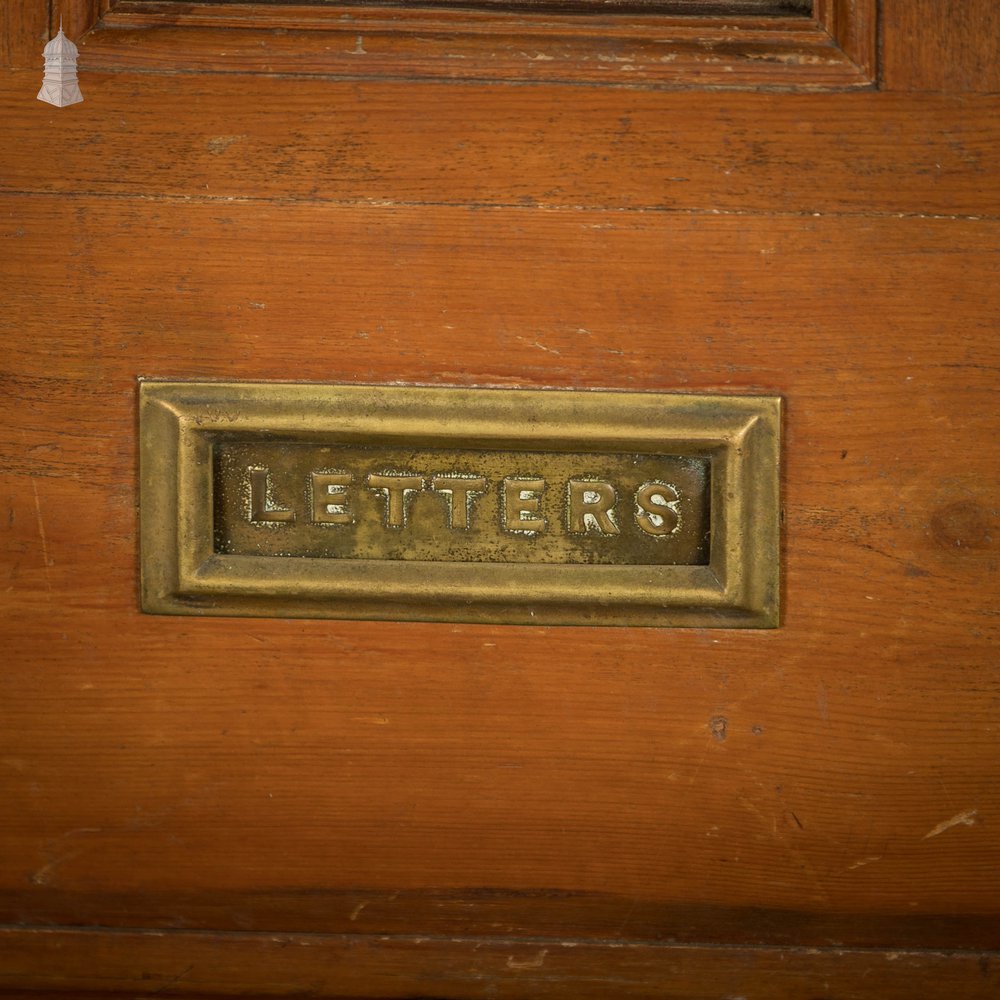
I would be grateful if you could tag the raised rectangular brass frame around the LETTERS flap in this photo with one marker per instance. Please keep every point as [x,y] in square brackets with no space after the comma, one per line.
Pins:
[181,574]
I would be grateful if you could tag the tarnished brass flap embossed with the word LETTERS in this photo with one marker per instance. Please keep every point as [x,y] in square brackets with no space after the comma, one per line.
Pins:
[350,502]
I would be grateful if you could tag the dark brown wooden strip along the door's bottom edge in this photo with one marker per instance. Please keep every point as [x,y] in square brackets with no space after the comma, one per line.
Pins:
[212,965]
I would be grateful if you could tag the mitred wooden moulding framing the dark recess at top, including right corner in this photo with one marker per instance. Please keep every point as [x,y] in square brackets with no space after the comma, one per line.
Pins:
[834,50]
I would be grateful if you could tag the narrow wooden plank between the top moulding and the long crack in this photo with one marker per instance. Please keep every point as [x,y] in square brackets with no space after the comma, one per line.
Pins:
[302,141]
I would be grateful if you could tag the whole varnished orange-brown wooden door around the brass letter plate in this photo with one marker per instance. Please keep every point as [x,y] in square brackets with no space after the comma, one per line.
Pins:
[205,807]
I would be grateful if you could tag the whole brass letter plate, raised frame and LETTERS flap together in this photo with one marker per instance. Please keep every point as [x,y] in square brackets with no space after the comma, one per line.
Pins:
[450,504]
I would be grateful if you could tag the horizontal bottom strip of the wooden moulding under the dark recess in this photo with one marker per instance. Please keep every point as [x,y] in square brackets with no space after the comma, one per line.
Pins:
[441,48]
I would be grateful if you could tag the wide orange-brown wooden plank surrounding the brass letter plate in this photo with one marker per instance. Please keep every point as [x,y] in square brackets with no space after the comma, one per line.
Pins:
[271,760]
